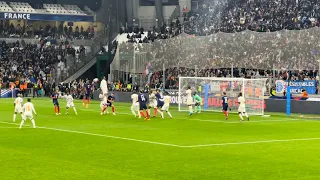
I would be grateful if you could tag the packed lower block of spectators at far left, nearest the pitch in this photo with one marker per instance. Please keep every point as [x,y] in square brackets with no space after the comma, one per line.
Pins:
[31,66]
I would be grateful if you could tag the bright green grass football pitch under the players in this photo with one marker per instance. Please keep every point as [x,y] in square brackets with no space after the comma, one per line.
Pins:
[204,146]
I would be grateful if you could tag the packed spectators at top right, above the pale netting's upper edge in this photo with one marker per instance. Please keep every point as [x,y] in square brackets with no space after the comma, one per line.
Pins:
[255,15]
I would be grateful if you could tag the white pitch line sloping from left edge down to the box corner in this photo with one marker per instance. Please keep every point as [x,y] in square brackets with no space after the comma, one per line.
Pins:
[102,135]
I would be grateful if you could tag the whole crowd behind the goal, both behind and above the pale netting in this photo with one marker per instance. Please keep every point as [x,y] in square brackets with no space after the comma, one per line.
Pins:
[252,36]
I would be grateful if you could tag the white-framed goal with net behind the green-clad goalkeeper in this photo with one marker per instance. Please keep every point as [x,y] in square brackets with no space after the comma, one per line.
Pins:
[211,90]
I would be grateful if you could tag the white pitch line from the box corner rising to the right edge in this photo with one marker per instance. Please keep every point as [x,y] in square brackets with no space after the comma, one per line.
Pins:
[252,142]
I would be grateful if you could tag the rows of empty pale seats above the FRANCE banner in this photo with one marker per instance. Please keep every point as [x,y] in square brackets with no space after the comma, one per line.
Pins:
[20,7]
